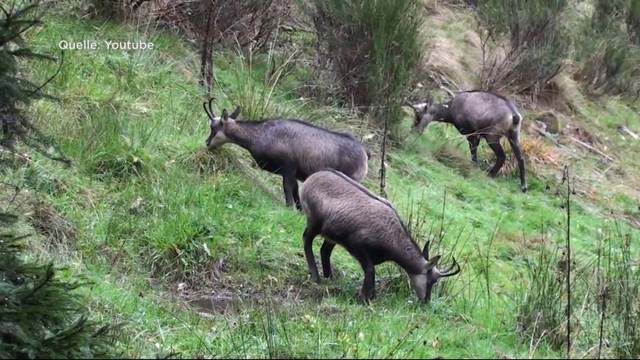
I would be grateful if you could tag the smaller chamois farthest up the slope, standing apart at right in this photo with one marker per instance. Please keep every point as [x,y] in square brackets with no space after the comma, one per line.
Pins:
[478,114]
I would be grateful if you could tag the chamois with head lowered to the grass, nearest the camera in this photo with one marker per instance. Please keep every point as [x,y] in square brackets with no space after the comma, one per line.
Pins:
[346,213]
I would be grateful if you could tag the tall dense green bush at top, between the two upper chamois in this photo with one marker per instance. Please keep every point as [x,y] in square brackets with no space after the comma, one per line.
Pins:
[372,47]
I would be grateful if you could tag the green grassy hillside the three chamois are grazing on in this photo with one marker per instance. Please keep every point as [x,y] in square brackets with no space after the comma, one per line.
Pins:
[192,253]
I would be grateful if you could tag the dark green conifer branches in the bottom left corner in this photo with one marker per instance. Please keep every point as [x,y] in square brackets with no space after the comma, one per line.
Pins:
[41,315]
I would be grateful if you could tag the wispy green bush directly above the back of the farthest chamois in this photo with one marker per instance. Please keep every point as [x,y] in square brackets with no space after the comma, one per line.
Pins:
[524,44]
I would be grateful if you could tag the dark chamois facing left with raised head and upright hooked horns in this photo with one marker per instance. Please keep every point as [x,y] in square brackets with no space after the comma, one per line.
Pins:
[290,148]
